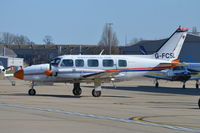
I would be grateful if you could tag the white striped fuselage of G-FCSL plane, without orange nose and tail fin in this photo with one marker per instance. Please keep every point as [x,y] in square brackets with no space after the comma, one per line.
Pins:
[129,66]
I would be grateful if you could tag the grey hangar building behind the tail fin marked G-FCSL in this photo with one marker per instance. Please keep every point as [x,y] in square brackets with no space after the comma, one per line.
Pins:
[189,52]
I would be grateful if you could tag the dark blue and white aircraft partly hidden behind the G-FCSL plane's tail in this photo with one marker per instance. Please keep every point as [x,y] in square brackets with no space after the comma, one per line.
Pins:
[189,71]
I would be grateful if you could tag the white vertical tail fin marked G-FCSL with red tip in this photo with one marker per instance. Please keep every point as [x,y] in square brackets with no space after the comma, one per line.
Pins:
[170,50]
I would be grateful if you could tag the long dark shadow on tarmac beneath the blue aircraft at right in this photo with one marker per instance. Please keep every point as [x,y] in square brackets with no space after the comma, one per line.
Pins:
[152,89]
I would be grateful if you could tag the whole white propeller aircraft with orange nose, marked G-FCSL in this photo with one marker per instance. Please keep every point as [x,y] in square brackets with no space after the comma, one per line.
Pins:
[103,68]
